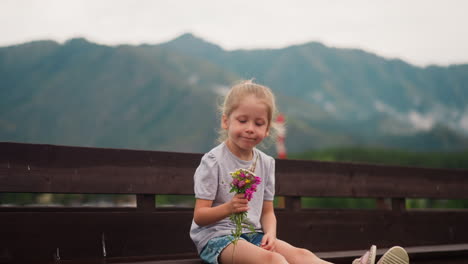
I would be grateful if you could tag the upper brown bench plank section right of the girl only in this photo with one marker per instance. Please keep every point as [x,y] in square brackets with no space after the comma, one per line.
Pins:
[336,179]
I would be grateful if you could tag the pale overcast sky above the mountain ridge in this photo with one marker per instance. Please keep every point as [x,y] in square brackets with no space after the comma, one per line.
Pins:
[420,32]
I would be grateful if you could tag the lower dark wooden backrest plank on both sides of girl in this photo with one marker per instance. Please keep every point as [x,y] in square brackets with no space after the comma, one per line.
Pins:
[126,234]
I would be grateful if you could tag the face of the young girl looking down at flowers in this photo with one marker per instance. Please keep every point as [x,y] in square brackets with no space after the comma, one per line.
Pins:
[246,126]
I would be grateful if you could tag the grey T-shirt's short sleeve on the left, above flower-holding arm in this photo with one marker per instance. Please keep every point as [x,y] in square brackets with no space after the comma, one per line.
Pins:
[206,178]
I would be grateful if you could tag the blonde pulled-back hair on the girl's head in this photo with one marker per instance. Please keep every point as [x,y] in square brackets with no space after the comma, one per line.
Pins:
[241,90]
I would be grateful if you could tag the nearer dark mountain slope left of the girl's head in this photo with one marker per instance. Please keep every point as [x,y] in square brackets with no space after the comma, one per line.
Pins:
[81,93]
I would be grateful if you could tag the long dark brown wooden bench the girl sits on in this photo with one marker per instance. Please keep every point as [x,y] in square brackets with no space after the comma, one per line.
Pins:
[150,234]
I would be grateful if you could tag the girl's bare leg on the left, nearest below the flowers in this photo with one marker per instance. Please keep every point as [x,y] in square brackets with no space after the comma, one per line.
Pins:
[247,253]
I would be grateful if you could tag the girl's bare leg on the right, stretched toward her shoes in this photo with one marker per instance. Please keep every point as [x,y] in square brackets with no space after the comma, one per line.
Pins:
[296,255]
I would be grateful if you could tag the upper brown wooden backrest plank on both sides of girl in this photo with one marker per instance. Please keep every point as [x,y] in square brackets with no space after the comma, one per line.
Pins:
[59,169]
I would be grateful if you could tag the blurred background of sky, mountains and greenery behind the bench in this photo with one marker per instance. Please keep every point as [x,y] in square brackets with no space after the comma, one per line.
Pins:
[357,81]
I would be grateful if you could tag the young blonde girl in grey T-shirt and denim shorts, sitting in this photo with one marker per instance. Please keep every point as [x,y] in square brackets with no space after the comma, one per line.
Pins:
[247,115]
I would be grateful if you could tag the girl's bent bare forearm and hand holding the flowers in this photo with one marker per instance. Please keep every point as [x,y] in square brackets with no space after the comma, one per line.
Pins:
[204,214]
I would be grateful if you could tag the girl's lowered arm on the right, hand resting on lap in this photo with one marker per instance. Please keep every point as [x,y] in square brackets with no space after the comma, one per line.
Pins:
[268,221]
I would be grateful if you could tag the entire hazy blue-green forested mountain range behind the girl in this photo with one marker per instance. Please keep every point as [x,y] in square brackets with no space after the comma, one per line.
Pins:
[164,96]
